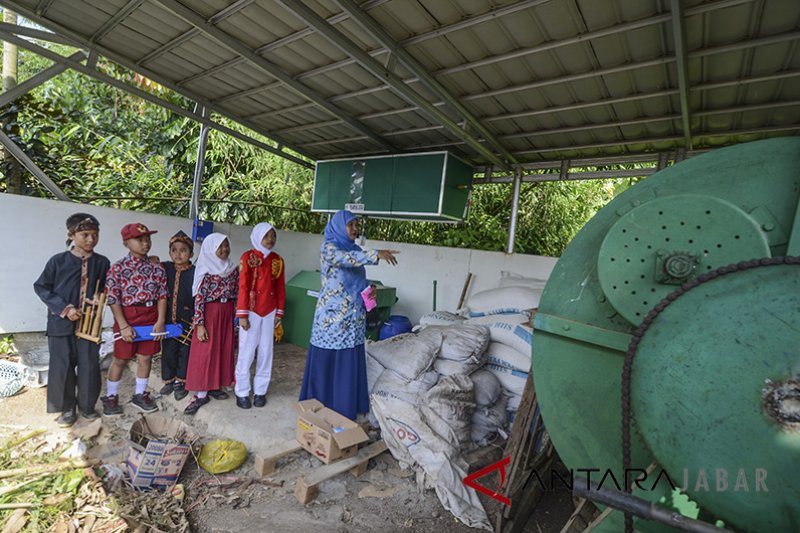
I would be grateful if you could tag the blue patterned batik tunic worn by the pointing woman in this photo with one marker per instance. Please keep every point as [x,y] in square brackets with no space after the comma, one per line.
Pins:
[340,318]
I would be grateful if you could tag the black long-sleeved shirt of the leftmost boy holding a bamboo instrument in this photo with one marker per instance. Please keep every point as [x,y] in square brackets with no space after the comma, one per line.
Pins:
[59,286]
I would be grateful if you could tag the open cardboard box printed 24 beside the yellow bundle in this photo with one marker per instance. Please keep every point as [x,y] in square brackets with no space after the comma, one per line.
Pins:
[158,450]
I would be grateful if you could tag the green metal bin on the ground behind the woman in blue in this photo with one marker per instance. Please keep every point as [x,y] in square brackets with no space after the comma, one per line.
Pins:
[302,292]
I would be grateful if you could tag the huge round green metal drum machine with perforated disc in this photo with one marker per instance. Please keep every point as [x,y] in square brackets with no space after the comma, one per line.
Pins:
[714,372]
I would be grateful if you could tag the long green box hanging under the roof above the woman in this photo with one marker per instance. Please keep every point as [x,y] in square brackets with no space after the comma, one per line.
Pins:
[430,186]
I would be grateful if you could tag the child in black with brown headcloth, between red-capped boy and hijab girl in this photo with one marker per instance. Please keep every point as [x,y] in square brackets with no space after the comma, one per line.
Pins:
[180,310]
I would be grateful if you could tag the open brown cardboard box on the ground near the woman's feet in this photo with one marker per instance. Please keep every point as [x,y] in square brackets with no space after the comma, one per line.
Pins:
[325,433]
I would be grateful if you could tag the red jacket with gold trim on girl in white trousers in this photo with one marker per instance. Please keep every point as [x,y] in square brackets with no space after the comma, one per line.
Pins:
[262,288]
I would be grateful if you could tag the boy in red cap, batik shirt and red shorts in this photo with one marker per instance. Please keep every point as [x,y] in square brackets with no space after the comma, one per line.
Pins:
[137,294]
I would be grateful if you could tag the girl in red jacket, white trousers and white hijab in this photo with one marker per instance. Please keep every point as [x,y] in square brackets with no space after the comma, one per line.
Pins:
[262,296]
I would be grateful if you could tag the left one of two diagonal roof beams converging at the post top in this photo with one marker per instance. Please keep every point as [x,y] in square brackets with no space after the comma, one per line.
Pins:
[376,69]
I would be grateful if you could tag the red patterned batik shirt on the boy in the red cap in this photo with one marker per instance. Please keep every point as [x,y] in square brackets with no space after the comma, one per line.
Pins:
[133,281]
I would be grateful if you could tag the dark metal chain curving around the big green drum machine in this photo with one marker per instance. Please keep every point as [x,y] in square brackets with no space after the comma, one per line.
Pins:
[627,367]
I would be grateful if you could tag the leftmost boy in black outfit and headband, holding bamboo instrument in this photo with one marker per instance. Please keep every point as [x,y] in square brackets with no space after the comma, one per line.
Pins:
[70,279]
